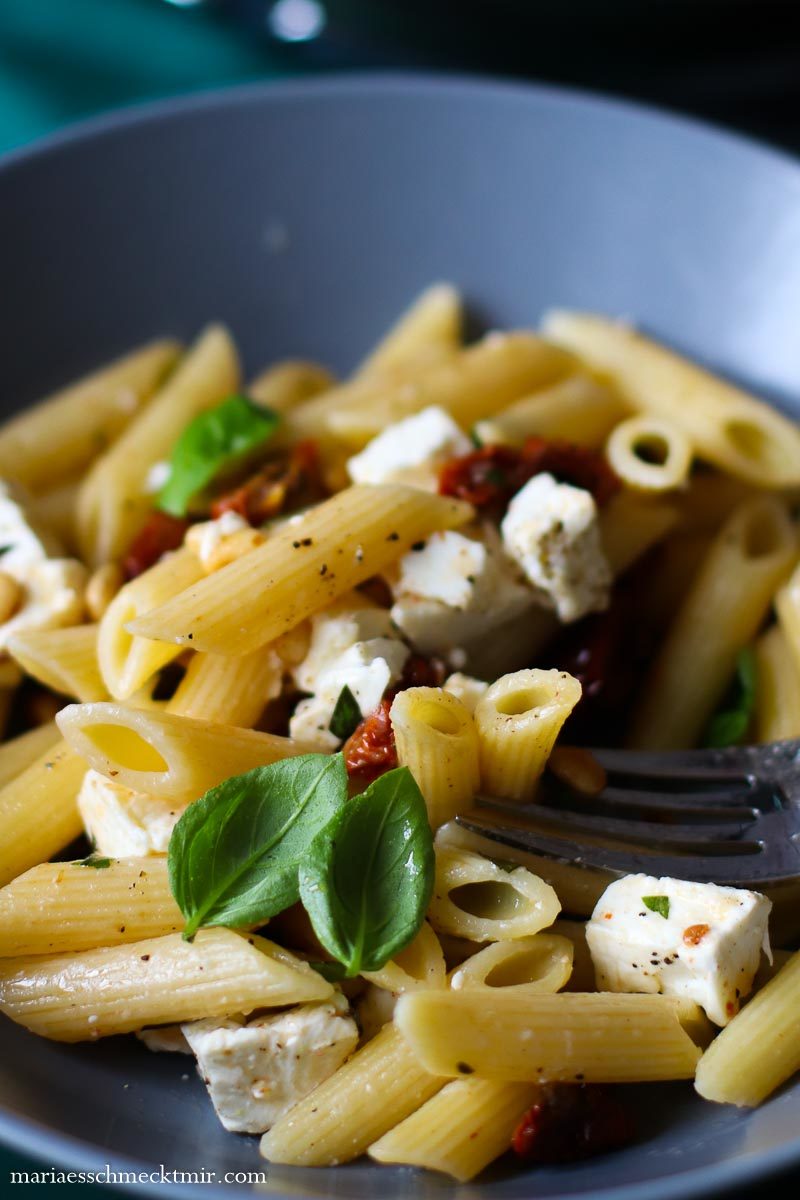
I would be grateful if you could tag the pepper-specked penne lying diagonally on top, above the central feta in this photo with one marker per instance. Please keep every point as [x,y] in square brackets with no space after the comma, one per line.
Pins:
[305,567]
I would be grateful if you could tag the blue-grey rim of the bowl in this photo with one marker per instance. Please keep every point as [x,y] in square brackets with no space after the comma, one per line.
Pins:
[33,1138]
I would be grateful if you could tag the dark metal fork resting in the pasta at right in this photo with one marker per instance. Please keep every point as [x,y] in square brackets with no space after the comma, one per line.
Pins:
[724,817]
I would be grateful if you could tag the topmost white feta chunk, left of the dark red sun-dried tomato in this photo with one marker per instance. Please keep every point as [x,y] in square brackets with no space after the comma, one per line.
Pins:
[411,451]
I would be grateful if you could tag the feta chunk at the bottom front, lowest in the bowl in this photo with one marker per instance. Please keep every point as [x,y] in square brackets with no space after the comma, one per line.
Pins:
[256,1072]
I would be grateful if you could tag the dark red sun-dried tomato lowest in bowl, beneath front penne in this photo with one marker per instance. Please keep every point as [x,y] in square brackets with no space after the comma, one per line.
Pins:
[572,1123]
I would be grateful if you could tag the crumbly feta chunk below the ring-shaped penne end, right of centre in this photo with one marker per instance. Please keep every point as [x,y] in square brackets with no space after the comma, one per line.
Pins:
[551,531]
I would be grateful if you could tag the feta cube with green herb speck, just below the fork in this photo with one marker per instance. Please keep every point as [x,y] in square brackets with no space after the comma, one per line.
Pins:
[706,949]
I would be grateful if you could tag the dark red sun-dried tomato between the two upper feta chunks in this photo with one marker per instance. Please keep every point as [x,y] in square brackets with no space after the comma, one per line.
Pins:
[495,473]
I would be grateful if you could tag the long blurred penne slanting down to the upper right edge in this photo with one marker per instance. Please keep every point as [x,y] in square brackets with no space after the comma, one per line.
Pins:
[725,425]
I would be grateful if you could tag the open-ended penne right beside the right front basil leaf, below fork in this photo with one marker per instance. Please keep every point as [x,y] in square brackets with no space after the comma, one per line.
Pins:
[474,898]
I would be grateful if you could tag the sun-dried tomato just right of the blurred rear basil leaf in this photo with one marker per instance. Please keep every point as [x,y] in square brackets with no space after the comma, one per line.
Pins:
[286,482]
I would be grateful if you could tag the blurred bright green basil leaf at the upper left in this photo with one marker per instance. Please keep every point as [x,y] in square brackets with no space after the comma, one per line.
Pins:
[212,443]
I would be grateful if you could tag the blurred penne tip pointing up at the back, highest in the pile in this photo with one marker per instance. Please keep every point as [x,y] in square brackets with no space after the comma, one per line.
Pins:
[435,321]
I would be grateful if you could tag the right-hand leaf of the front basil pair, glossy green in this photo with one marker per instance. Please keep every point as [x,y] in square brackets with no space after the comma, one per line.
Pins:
[368,879]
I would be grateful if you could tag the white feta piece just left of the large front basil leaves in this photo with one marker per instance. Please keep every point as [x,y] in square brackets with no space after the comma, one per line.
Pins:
[124,824]
